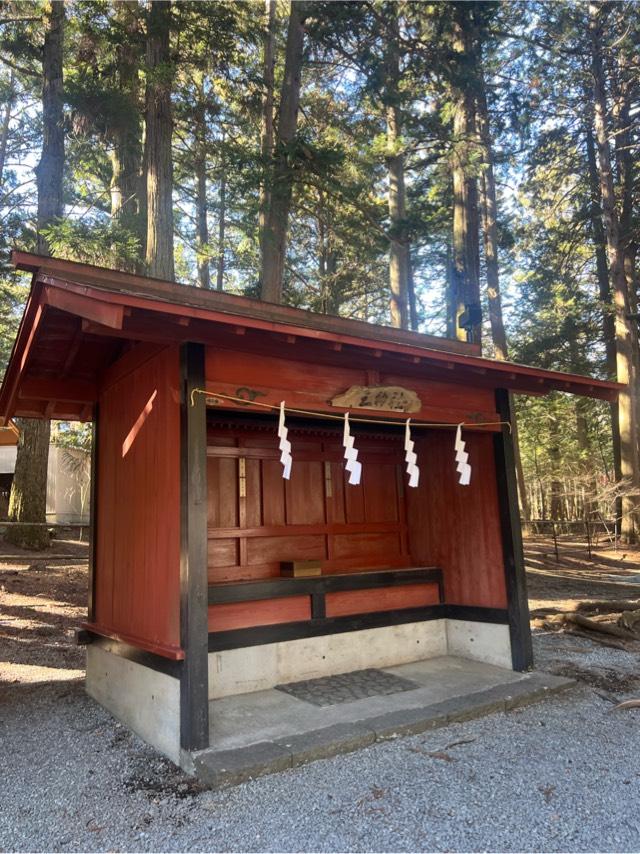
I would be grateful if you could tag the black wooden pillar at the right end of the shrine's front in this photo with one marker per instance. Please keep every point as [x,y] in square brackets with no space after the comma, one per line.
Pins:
[517,604]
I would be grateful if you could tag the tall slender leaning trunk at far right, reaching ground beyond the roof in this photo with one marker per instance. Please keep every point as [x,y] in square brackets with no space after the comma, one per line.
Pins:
[623,332]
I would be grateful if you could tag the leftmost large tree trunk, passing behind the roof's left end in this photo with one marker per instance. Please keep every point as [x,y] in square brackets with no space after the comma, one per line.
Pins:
[28,499]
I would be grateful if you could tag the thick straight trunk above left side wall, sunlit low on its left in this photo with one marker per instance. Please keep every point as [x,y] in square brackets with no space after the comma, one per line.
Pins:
[159,126]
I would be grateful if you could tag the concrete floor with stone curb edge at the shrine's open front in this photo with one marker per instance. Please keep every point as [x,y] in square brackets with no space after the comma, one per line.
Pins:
[269,731]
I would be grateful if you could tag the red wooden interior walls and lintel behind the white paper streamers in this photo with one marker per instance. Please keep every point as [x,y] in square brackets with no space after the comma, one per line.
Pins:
[381,523]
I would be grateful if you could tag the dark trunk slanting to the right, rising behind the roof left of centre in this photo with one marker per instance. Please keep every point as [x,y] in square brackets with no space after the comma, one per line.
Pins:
[277,220]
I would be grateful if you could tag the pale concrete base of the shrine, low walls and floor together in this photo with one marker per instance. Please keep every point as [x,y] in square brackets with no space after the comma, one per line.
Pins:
[446,658]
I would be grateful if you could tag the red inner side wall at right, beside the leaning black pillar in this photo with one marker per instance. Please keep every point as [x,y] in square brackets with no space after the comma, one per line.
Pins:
[458,527]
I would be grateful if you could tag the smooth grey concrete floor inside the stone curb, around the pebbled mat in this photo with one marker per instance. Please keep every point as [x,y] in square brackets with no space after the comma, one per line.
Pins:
[245,719]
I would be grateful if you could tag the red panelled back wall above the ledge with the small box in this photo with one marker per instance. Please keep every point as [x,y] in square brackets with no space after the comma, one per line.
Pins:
[257,519]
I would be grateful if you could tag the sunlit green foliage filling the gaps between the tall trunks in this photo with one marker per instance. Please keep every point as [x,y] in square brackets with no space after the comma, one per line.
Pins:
[536,66]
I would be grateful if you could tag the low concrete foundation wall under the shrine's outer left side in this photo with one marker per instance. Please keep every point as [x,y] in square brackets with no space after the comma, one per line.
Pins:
[146,701]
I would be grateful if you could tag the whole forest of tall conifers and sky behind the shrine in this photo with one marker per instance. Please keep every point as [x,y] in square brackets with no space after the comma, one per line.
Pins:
[466,169]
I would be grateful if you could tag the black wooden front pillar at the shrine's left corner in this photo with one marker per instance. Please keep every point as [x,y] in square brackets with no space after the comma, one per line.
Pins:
[194,636]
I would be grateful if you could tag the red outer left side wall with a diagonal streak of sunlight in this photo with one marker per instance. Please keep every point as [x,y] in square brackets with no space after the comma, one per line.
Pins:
[137,593]
